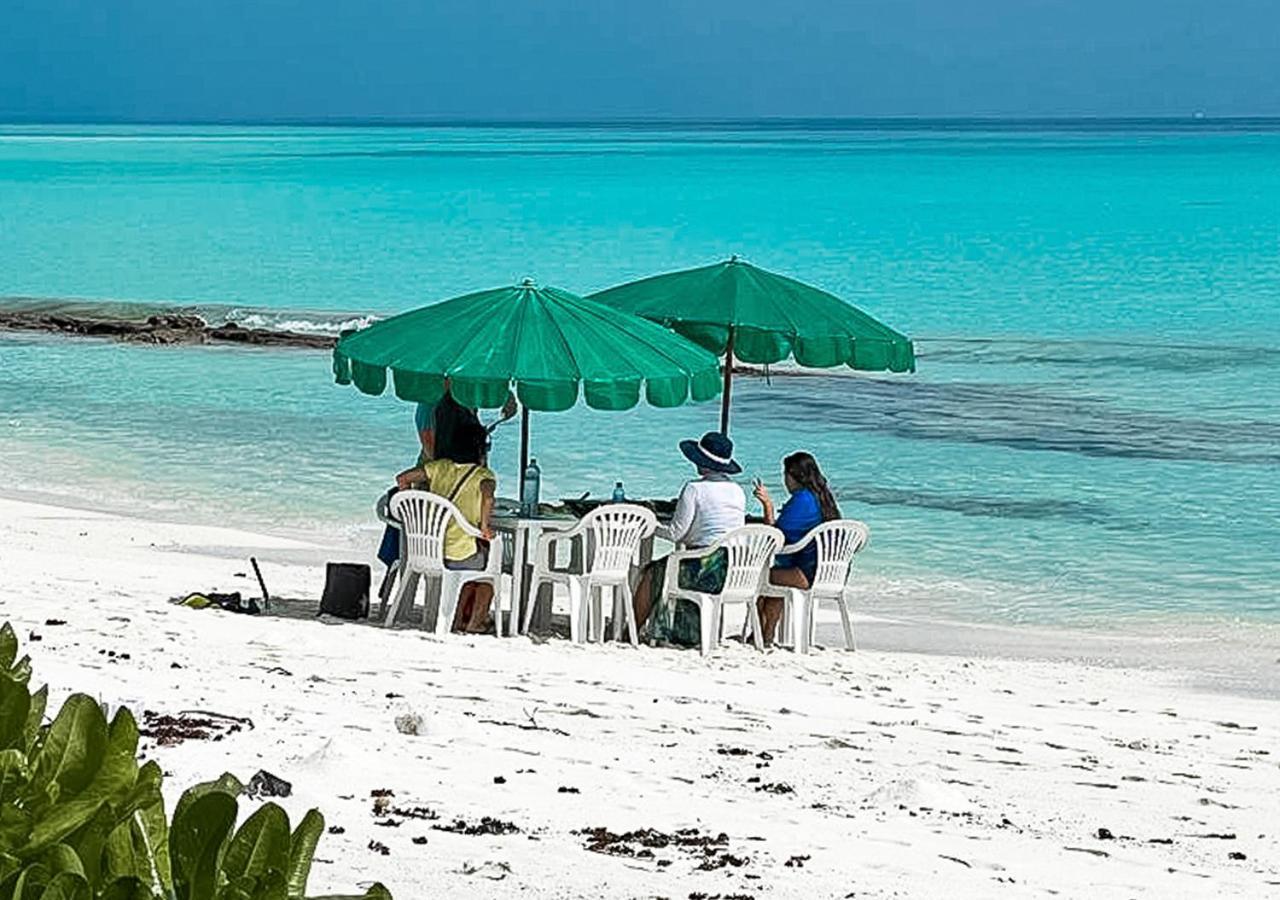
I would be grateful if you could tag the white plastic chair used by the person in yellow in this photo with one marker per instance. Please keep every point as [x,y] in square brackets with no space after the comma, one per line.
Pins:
[424,518]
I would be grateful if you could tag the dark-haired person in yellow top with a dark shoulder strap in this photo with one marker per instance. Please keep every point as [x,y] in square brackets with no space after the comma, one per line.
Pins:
[469,485]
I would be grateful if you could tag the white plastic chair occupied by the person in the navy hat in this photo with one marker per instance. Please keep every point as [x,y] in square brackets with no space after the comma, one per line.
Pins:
[751,554]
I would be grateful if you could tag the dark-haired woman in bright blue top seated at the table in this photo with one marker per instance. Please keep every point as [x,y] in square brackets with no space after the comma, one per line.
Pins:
[811,505]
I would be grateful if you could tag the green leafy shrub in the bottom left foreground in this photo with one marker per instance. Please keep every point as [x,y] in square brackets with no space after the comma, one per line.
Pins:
[80,820]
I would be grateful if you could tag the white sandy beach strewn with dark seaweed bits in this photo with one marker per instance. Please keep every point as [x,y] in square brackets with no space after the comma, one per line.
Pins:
[877,774]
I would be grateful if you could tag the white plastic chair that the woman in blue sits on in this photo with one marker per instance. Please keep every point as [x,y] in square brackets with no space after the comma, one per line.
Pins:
[838,542]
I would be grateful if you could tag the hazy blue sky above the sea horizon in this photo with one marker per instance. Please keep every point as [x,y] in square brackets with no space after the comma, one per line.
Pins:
[317,60]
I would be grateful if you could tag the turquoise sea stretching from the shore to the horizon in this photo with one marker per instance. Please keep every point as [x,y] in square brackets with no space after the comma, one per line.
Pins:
[1094,431]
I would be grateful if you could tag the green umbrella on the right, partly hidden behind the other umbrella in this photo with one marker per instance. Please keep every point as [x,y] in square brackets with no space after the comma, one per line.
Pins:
[744,313]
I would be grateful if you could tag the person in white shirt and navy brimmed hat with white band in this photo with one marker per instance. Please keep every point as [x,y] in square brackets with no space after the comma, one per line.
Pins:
[708,509]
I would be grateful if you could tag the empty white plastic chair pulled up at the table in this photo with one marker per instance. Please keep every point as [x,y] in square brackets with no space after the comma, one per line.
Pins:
[612,536]
